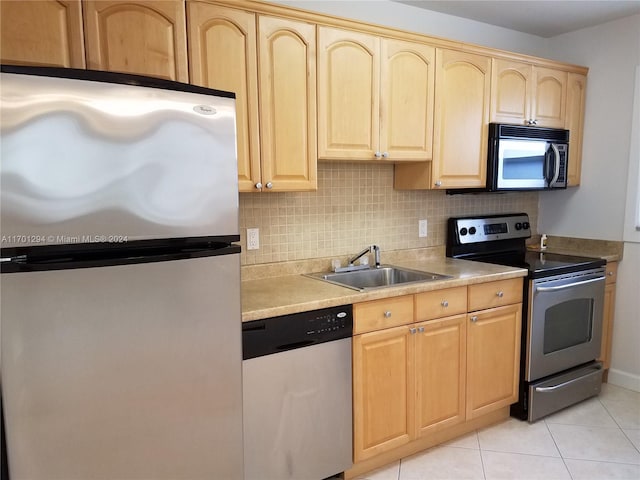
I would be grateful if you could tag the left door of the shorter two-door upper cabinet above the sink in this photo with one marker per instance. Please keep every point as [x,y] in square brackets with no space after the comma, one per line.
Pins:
[348,94]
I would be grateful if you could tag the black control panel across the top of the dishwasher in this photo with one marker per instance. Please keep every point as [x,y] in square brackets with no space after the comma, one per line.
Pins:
[297,330]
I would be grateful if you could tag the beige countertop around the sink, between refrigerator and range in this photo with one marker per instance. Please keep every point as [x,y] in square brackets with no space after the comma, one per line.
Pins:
[282,295]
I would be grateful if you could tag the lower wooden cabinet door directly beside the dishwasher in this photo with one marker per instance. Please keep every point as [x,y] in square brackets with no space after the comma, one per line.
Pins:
[383,369]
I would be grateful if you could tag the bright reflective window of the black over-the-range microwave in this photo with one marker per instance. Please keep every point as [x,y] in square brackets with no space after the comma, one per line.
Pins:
[523,160]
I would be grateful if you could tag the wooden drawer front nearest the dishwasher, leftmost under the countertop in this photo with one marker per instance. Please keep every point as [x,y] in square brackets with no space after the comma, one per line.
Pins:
[384,313]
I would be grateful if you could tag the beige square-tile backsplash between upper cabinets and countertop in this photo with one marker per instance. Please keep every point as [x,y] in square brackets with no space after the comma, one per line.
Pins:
[356,206]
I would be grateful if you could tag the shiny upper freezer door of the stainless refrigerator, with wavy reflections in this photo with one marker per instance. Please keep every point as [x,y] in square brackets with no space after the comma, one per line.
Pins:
[86,160]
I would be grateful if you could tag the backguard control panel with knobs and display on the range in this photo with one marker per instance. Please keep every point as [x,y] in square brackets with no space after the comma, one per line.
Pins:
[489,228]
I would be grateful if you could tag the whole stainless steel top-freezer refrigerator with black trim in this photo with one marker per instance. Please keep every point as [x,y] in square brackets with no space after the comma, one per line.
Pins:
[120,286]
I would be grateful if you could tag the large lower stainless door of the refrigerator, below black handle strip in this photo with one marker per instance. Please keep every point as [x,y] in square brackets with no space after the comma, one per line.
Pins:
[124,372]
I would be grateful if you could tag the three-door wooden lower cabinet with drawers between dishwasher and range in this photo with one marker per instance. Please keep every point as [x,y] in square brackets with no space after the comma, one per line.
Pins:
[420,379]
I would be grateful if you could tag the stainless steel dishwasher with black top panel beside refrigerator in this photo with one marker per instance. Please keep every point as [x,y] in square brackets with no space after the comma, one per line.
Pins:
[297,395]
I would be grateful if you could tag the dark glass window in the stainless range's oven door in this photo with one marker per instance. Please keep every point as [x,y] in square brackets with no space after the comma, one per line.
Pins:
[568,324]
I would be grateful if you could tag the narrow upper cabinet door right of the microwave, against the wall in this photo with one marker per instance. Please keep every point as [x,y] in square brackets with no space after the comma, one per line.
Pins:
[576,95]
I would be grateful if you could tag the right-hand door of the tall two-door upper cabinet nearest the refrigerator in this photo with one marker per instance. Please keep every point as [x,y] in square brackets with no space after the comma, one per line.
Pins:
[287,84]
